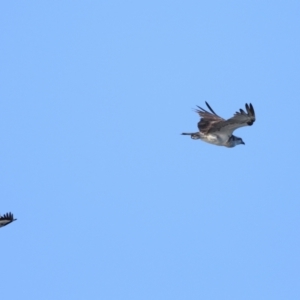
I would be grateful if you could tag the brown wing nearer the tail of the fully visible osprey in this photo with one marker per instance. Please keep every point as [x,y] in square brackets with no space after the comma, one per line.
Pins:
[208,119]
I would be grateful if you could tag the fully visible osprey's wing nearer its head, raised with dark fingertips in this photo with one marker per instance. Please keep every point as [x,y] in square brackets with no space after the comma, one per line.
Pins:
[240,119]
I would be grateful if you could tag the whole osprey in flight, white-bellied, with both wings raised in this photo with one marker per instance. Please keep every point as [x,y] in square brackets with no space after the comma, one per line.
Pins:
[215,130]
